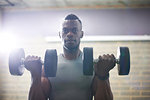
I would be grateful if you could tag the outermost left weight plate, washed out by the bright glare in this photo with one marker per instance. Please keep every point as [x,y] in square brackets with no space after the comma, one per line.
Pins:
[15,66]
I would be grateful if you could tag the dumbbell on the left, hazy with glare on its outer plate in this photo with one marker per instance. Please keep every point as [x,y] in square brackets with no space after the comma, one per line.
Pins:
[17,57]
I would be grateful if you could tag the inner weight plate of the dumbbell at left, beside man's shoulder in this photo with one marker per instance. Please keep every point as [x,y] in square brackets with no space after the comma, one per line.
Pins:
[50,63]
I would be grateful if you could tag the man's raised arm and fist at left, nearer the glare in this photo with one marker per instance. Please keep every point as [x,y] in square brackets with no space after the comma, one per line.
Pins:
[40,86]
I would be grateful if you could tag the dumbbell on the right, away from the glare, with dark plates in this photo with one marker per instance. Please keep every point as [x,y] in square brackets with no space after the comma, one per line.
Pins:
[123,60]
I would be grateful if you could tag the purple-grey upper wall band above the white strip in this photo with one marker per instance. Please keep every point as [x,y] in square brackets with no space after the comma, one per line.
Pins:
[95,21]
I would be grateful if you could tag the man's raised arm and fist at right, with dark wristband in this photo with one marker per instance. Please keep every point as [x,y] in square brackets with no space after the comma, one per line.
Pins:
[101,87]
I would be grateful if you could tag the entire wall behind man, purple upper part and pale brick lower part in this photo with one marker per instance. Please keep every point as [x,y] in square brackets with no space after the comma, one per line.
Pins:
[33,24]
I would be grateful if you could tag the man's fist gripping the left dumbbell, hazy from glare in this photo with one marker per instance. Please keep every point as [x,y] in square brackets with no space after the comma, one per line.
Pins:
[34,65]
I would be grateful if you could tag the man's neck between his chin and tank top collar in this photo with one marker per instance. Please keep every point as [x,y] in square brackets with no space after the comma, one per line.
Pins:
[71,55]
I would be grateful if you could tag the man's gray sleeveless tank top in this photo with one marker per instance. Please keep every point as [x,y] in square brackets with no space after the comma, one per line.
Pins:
[70,83]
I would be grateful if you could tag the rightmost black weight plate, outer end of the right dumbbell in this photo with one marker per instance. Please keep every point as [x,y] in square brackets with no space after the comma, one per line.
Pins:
[124,61]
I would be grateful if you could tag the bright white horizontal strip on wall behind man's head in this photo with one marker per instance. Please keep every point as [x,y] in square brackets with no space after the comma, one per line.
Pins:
[105,38]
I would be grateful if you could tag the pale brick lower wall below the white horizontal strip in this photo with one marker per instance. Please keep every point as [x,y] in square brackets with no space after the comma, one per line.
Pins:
[135,86]
